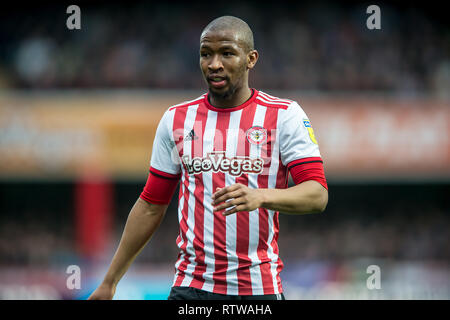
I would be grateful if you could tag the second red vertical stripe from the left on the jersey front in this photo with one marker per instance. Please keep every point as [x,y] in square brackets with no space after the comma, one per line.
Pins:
[199,211]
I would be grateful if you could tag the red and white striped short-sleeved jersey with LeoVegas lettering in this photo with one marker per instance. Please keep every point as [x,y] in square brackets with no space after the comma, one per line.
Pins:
[211,147]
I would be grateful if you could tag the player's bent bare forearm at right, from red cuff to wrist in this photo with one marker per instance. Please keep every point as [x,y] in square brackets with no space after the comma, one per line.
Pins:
[307,197]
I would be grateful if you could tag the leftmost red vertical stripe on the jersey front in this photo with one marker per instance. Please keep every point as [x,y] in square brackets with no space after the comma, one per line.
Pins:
[178,135]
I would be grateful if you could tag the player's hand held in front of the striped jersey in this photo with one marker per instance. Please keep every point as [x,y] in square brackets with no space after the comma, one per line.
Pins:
[237,196]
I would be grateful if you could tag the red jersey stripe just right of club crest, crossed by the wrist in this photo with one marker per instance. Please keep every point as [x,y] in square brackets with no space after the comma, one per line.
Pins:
[270,123]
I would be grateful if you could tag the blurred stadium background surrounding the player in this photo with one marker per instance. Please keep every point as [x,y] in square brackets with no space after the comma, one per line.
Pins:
[79,108]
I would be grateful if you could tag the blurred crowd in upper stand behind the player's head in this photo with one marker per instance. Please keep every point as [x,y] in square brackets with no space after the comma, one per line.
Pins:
[312,46]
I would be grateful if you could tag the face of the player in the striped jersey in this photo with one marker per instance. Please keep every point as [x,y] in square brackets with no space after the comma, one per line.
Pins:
[224,62]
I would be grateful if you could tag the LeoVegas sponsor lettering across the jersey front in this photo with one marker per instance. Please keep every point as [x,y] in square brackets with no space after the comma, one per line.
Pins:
[216,161]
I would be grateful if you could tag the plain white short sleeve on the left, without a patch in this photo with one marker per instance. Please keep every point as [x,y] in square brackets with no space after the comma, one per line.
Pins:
[164,153]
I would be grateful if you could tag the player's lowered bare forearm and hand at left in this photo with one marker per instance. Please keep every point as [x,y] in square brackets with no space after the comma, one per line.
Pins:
[143,220]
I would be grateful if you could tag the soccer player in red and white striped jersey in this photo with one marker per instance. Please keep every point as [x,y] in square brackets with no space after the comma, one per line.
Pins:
[231,149]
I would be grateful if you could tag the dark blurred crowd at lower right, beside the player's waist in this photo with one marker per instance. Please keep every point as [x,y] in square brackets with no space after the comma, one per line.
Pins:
[421,236]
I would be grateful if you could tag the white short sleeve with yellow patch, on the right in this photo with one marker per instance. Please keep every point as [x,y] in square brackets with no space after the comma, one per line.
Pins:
[297,140]
